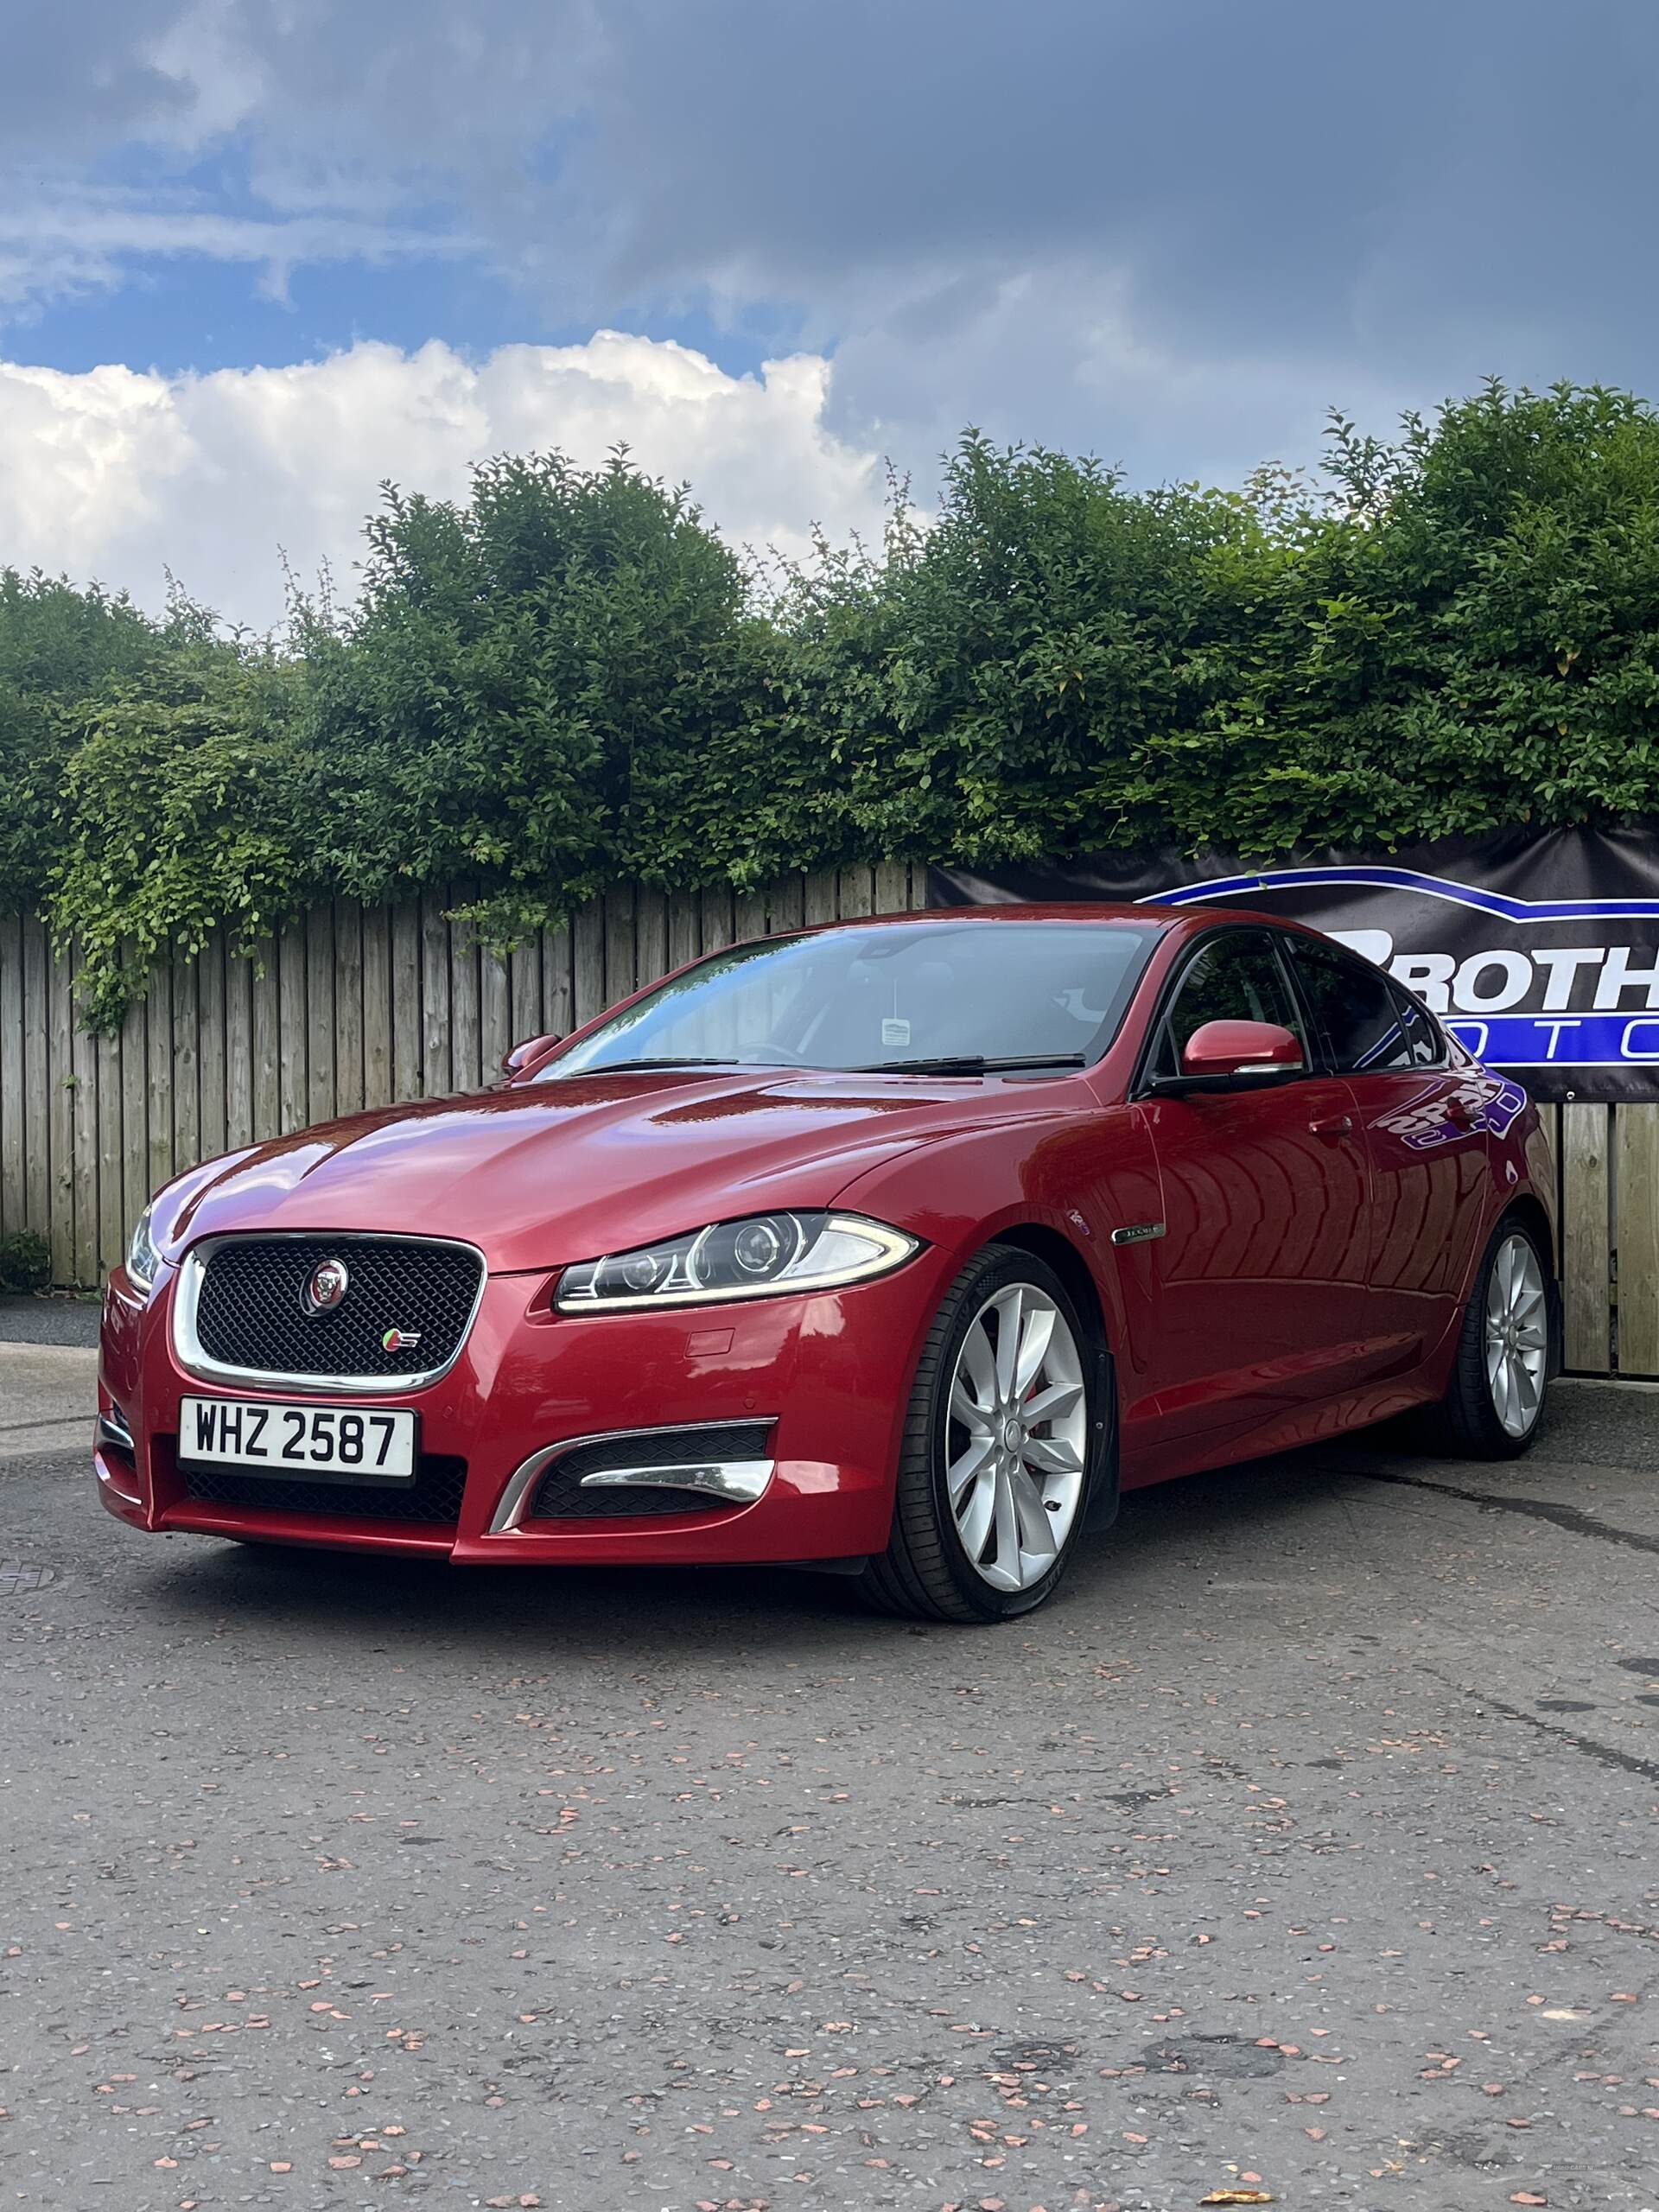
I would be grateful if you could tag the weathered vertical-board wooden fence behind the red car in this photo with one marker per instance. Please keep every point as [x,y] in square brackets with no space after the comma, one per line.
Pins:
[357,1008]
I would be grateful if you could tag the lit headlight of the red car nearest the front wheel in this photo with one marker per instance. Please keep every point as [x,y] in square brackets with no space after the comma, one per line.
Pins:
[760,1258]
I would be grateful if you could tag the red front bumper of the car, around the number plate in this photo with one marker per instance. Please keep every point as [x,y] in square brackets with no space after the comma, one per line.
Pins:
[831,1370]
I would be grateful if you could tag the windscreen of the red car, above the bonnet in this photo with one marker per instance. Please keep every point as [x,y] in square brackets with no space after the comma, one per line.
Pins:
[886,997]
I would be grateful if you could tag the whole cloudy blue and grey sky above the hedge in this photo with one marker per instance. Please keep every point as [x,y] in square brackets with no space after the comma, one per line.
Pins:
[258,255]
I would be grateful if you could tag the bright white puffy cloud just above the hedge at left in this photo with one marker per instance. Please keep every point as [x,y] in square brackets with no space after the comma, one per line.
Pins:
[121,474]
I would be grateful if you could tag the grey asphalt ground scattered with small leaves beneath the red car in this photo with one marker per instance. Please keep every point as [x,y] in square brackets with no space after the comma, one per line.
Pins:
[1306,1846]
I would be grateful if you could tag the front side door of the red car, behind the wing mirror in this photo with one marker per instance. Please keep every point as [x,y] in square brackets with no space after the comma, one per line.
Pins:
[1266,1213]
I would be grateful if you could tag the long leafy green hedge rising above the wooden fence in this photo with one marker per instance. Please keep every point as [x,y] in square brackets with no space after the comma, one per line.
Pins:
[572,680]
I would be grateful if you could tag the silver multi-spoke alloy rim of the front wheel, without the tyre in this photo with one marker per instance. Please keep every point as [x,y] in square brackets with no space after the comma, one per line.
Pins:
[1016,1437]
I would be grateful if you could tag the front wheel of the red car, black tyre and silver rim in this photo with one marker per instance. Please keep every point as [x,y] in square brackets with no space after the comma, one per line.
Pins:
[1008,1437]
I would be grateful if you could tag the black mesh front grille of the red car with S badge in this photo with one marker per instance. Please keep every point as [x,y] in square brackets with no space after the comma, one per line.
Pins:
[251,1308]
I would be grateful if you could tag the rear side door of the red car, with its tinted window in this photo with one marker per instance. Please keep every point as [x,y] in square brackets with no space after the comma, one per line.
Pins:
[1423,1134]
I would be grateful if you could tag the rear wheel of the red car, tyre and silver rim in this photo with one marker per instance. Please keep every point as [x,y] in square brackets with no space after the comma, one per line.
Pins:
[1501,1377]
